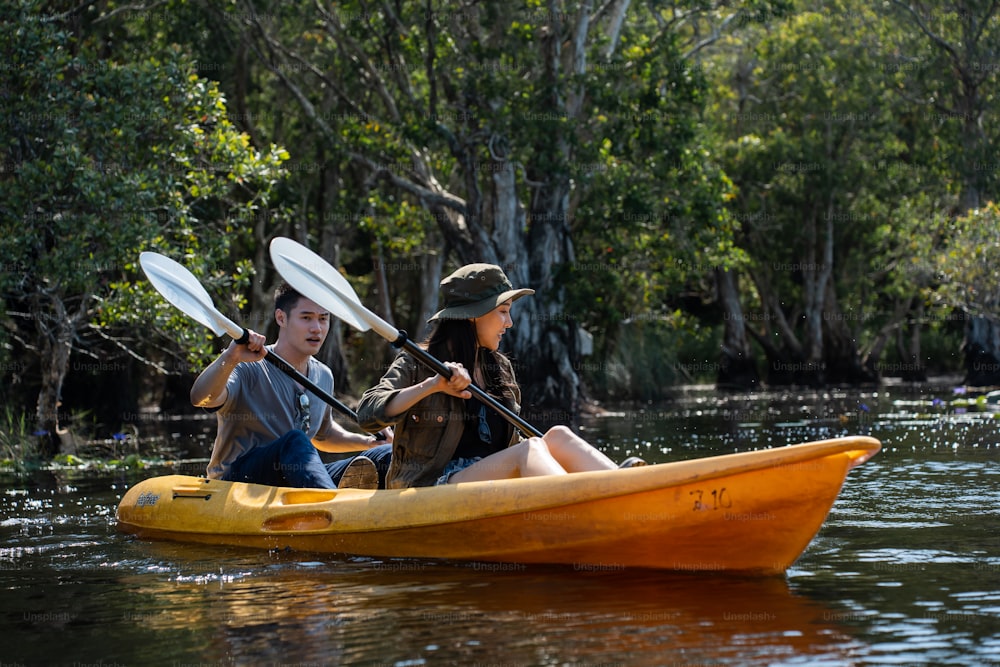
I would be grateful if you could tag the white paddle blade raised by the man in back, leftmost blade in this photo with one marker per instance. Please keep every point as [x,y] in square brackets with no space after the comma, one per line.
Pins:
[182,290]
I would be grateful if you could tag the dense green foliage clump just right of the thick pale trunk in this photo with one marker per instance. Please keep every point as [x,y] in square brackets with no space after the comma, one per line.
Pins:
[651,220]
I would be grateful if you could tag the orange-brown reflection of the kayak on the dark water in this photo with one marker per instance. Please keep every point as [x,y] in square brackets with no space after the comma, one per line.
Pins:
[411,611]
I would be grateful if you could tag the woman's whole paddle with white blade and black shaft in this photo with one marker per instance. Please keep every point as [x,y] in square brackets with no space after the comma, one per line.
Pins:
[315,279]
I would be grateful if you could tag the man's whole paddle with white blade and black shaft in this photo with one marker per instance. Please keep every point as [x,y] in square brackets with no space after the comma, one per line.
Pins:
[179,287]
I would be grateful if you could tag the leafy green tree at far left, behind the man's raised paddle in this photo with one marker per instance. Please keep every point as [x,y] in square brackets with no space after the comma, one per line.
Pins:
[105,157]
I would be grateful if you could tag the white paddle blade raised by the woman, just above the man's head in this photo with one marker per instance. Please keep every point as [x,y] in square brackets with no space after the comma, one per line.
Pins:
[315,279]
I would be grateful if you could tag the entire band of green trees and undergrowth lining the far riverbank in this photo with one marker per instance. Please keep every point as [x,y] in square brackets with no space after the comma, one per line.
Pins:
[751,194]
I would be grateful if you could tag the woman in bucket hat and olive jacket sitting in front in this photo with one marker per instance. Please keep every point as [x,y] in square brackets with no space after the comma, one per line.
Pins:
[444,435]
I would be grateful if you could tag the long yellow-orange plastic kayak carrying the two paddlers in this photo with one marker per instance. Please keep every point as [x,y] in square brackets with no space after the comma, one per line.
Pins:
[748,512]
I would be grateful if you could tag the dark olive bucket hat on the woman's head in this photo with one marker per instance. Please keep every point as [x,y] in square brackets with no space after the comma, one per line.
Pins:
[474,290]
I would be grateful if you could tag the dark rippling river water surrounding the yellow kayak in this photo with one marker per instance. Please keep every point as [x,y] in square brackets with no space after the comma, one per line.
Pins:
[906,570]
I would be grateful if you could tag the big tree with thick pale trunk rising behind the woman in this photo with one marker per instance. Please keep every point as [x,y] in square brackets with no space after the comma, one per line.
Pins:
[487,125]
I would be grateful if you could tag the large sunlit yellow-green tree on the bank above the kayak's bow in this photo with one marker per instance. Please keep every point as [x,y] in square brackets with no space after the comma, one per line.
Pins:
[816,154]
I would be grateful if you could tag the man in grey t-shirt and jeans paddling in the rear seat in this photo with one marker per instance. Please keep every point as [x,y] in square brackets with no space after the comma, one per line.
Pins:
[270,427]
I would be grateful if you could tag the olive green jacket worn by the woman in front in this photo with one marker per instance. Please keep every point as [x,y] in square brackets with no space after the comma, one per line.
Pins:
[426,436]
